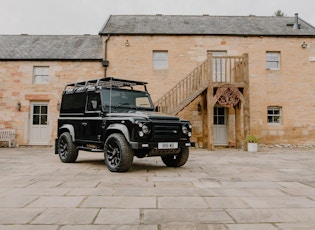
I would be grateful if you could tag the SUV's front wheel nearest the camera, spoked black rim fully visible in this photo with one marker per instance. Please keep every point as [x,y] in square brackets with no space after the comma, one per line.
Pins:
[118,154]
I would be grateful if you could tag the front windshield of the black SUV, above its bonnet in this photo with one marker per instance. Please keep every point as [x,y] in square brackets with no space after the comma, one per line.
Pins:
[121,99]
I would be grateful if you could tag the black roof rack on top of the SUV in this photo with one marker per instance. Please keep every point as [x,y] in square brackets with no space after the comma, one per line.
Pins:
[108,82]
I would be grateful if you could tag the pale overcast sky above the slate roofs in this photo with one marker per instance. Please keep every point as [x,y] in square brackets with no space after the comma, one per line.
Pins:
[88,16]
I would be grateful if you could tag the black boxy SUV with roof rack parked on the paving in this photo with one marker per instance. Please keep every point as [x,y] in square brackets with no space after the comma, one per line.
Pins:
[114,116]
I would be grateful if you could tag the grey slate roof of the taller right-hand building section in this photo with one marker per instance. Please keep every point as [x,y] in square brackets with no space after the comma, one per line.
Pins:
[205,25]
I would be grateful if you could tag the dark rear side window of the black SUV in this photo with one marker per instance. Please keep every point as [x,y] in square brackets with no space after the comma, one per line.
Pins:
[73,103]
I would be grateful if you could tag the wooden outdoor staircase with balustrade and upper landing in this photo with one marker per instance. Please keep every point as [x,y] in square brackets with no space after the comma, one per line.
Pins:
[215,70]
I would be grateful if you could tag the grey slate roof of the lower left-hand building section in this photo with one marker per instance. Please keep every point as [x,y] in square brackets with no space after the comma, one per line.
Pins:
[50,47]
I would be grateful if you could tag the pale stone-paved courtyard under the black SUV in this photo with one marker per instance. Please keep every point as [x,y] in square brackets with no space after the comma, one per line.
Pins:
[225,189]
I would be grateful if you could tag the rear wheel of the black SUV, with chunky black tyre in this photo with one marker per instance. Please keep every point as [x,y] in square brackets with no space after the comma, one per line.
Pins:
[67,150]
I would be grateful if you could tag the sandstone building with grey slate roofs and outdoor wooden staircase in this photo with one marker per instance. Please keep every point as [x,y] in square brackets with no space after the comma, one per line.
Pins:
[230,76]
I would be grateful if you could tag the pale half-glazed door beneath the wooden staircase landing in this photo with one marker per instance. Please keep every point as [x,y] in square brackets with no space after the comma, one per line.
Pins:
[220,126]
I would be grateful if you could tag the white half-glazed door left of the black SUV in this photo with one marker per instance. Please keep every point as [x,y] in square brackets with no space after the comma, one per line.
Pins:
[39,126]
